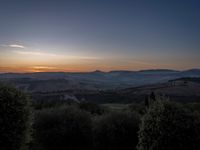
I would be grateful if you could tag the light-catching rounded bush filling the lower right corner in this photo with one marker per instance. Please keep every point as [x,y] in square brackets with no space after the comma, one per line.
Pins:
[169,126]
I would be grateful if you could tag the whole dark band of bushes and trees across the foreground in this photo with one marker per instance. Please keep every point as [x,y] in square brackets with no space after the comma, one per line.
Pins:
[156,124]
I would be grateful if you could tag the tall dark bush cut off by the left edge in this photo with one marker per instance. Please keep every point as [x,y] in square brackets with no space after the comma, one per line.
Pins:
[14,118]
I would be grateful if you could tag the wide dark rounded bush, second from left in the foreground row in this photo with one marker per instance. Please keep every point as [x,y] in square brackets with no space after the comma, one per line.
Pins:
[63,128]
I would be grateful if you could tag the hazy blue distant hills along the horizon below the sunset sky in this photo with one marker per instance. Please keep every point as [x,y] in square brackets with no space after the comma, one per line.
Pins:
[96,80]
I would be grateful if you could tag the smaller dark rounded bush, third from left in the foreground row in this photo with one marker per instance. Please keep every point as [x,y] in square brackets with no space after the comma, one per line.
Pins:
[116,131]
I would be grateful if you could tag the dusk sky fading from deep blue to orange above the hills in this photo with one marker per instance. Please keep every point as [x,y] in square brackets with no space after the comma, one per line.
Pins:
[88,35]
